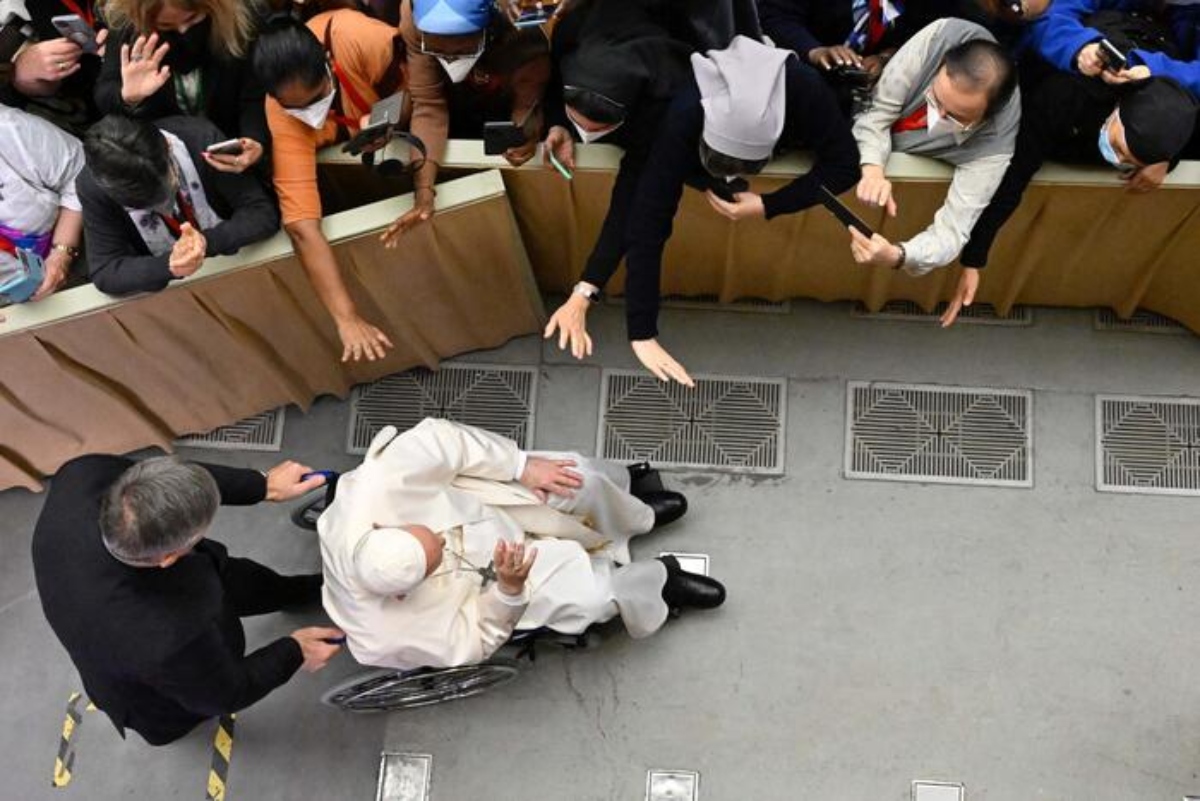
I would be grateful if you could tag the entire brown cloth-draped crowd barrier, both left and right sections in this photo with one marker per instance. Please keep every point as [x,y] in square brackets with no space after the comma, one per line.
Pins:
[82,372]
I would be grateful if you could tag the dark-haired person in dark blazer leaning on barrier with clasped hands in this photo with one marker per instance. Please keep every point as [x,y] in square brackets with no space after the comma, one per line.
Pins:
[154,209]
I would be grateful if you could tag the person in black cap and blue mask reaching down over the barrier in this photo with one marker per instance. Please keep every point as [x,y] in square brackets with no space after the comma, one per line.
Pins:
[1139,130]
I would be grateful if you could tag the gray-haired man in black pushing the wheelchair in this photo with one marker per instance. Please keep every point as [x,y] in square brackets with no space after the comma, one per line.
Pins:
[148,609]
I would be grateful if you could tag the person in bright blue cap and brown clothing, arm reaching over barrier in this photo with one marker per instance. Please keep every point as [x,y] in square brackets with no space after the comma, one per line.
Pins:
[467,64]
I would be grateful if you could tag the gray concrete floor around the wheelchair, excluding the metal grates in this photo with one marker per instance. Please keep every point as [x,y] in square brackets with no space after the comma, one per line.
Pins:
[1030,643]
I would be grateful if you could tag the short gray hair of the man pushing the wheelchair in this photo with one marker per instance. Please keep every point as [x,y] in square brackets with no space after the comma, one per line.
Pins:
[158,508]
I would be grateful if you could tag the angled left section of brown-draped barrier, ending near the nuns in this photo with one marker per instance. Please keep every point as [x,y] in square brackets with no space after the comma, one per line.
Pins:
[82,372]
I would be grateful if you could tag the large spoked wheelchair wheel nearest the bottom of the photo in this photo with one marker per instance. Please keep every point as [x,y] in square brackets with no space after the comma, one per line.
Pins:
[385,691]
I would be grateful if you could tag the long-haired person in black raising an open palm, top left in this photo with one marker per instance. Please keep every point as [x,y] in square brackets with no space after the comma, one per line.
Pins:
[171,58]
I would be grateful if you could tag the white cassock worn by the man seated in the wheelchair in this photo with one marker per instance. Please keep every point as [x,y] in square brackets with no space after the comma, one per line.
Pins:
[460,481]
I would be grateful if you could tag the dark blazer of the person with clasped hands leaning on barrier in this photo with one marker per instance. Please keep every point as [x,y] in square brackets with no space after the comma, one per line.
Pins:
[118,258]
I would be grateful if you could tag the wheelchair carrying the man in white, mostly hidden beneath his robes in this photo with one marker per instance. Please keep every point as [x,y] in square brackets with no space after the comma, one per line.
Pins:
[385,690]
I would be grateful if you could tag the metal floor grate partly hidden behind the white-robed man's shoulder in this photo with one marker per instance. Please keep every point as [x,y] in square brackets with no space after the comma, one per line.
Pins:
[501,400]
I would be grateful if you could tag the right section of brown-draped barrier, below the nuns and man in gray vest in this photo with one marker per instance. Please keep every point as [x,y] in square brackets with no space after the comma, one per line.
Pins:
[1078,240]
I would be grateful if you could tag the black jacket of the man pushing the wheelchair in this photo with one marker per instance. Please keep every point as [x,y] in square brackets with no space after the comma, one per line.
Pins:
[160,651]
